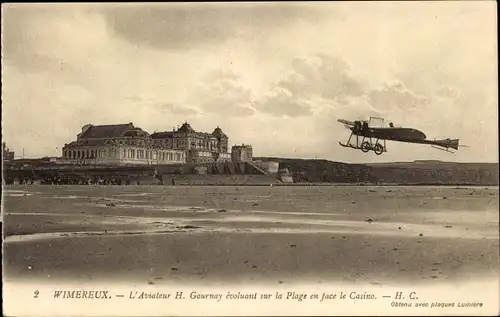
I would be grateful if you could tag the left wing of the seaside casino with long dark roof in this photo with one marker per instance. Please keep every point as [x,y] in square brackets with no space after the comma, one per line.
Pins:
[119,144]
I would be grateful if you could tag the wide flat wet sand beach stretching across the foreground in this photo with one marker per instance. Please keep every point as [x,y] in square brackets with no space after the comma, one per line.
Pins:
[158,235]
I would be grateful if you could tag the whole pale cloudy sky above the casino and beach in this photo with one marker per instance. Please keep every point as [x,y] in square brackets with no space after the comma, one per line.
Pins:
[276,76]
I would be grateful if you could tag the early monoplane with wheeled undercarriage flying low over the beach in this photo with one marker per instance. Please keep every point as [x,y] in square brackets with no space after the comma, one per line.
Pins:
[366,131]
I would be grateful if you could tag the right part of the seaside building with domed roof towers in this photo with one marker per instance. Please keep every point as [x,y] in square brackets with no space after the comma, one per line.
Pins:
[199,147]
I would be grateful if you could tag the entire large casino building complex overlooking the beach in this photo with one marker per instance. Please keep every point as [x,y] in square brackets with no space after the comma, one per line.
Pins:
[124,144]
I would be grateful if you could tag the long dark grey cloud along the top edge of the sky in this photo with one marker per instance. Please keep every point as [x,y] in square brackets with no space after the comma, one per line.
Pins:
[187,26]
